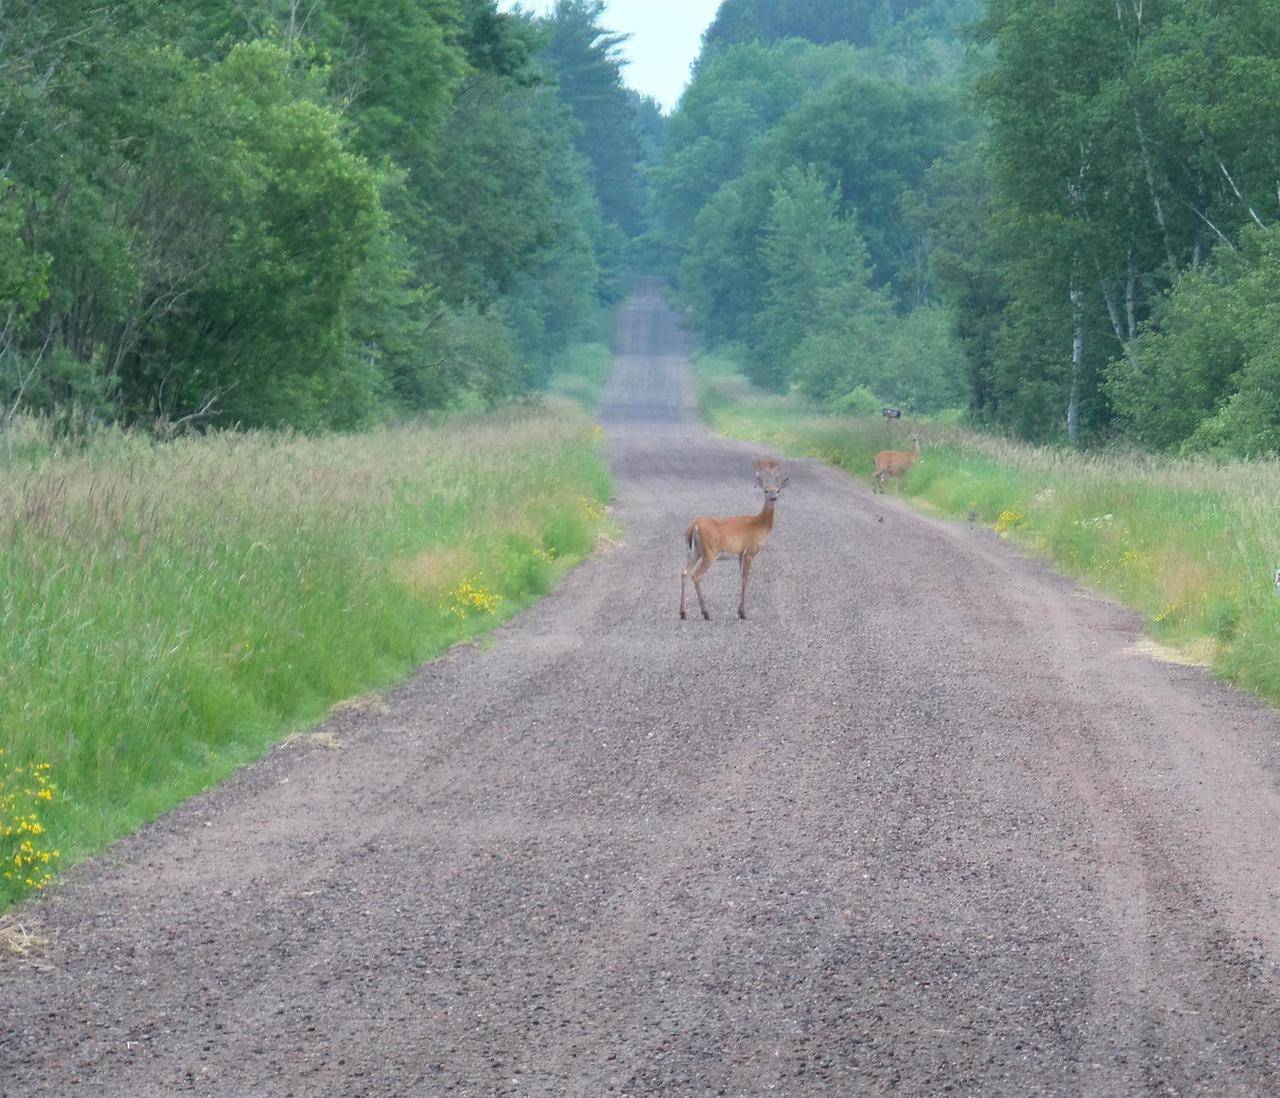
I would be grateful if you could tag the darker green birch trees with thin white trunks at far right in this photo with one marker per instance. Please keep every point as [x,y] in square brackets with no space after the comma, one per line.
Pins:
[1126,145]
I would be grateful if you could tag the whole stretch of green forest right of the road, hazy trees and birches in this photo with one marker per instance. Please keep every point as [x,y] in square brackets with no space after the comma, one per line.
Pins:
[1064,218]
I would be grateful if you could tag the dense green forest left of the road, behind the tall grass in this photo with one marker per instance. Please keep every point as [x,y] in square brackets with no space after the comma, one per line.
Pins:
[275,213]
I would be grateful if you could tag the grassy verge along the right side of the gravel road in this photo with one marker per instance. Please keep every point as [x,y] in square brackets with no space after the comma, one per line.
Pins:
[1191,545]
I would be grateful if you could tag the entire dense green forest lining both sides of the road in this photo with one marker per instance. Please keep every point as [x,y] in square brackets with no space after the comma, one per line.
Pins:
[1060,218]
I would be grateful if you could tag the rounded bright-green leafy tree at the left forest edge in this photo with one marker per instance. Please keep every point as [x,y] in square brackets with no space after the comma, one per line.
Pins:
[248,295]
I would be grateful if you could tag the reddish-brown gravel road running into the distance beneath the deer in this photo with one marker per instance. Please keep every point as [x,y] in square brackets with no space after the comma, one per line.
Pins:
[925,822]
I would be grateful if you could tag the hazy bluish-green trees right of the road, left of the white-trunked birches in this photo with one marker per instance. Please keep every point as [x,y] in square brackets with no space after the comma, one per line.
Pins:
[792,200]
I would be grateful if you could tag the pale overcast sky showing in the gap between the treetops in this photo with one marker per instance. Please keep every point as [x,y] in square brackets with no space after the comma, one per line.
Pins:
[666,36]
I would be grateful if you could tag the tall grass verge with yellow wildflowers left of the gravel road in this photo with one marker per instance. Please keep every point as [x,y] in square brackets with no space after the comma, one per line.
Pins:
[168,612]
